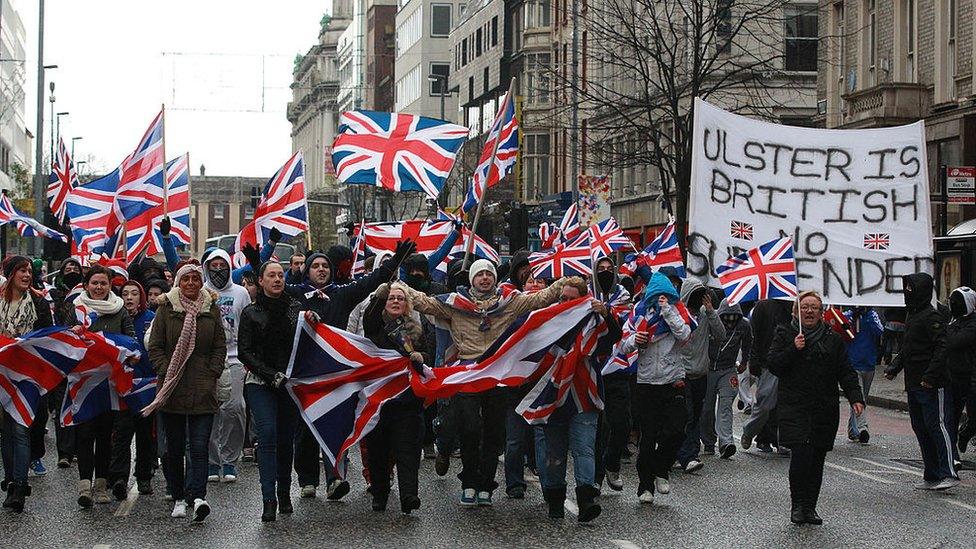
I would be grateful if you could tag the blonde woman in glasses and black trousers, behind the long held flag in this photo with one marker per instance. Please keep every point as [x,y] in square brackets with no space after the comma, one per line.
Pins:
[398,435]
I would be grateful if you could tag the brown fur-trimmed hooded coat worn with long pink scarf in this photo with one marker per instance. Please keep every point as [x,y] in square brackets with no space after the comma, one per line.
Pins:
[196,392]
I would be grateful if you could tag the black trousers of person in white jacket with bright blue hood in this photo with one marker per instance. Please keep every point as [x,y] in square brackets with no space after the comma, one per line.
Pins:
[661,414]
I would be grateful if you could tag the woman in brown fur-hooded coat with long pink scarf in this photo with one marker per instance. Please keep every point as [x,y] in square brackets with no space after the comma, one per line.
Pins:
[188,347]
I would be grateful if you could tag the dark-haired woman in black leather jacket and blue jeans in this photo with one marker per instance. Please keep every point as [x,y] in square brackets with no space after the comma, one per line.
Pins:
[264,342]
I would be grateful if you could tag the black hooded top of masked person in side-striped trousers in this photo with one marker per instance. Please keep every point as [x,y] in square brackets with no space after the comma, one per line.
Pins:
[921,355]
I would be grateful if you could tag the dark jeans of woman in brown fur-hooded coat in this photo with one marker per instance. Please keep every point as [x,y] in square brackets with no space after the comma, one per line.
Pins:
[183,430]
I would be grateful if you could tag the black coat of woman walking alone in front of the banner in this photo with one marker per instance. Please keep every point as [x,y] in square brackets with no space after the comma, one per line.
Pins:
[807,408]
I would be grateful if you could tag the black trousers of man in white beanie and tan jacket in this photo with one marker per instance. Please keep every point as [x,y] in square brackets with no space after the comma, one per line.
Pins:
[481,432]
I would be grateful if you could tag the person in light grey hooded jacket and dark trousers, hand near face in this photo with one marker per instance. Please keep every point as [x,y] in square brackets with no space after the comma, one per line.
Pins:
[694,360]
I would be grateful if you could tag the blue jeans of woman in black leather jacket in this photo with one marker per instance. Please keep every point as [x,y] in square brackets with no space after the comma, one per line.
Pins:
[275,417]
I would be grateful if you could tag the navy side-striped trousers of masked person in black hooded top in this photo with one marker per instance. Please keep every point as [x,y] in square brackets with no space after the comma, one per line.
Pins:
[930,411]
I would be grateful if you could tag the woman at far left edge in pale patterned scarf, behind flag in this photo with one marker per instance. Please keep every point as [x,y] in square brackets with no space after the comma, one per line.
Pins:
[22,310]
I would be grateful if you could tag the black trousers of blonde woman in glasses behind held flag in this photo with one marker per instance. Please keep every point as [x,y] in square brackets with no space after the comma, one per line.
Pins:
[397,437]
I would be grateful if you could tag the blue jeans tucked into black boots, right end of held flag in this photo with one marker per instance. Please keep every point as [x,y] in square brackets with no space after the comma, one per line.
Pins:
[576,434]
